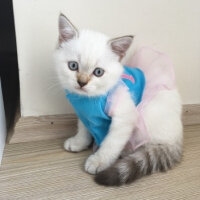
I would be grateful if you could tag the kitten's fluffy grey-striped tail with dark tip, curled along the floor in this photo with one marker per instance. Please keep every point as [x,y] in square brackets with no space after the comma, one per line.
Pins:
[145,160]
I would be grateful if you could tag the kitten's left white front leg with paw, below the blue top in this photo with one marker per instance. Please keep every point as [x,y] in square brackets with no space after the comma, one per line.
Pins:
[80,141]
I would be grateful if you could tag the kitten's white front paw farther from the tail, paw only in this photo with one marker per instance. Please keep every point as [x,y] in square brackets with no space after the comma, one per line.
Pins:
[74,145]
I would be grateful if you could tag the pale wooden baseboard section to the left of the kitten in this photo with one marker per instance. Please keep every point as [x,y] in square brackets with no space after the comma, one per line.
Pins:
[43,128]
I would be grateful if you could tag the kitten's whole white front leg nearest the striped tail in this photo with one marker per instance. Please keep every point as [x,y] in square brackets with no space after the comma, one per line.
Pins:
[123,121]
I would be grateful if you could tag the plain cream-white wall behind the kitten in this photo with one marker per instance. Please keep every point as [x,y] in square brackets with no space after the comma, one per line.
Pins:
[168,25]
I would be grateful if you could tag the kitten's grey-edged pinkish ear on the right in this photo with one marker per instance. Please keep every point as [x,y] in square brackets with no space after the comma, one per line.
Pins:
[120,45]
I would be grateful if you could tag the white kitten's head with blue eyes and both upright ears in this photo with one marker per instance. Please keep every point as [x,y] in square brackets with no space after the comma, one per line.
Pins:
[88,62]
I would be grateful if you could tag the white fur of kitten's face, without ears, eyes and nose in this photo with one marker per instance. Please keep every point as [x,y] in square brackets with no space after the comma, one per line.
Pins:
[90,50]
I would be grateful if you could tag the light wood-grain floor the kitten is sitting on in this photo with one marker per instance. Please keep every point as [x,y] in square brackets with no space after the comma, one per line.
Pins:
[43,170]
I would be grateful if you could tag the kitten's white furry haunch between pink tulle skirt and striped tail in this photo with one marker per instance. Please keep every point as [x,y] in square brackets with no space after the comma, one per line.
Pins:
[162,117]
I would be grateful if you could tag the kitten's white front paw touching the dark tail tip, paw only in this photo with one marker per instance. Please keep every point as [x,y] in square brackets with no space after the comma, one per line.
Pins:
[95,164]
